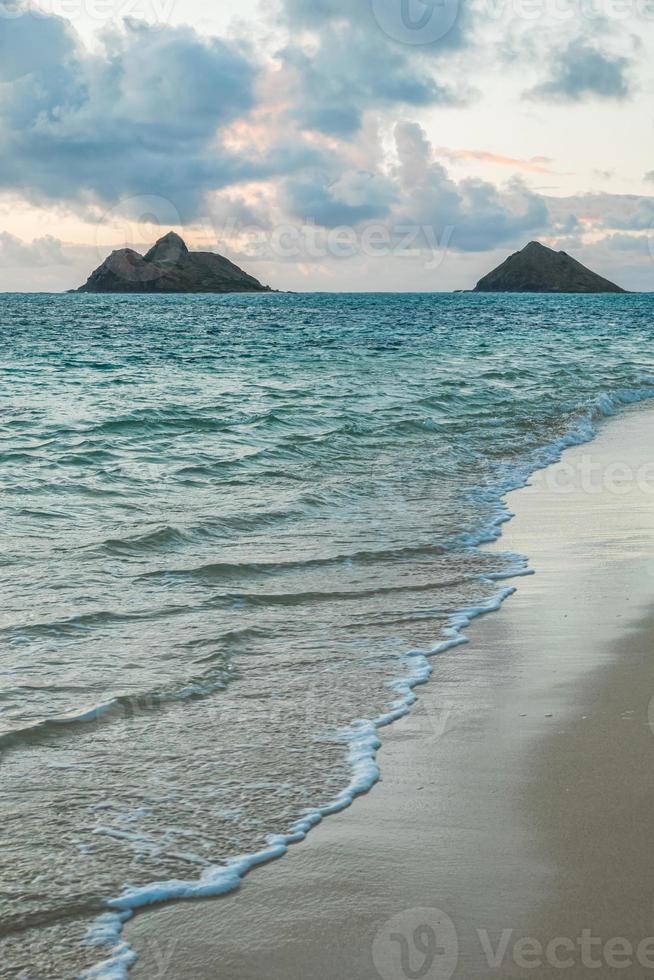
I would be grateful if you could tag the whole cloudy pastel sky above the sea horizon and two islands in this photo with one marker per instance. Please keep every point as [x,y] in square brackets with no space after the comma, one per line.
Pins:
[327,144]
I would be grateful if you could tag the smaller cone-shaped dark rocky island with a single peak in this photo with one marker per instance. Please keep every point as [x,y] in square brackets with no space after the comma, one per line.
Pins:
[539,269]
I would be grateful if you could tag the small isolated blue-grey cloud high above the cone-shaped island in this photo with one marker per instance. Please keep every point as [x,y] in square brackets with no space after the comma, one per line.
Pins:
[583,71]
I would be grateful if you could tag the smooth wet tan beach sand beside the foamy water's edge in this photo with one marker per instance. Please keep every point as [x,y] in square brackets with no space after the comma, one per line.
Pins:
[515,813]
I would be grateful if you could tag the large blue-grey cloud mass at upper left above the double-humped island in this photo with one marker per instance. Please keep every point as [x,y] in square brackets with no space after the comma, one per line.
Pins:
[144,111]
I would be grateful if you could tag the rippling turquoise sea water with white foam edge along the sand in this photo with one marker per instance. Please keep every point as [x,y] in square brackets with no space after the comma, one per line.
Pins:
[226,521]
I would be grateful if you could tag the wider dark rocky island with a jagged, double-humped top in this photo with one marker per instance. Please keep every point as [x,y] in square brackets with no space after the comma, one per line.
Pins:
[169,267]
